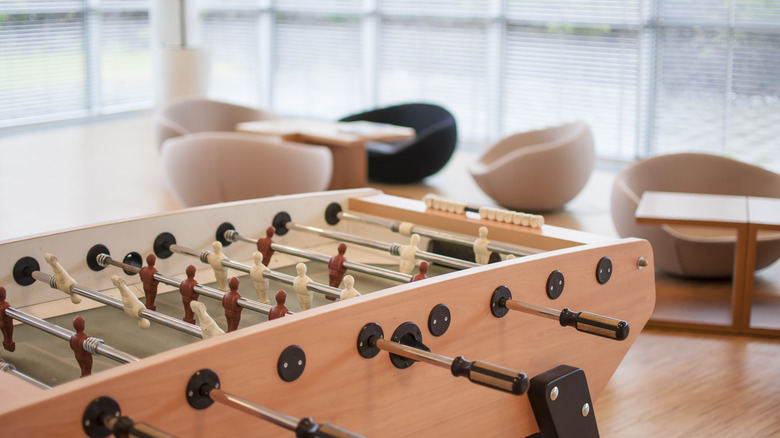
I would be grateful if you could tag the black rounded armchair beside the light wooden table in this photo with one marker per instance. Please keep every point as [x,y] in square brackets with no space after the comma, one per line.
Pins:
[412,160]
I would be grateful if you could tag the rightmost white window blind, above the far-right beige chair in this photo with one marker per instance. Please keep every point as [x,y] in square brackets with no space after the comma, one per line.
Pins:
[717,88]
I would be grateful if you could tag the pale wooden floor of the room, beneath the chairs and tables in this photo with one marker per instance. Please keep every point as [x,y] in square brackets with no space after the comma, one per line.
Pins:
[669,385]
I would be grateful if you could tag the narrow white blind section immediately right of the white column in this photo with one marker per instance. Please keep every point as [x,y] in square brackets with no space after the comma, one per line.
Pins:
[232,37]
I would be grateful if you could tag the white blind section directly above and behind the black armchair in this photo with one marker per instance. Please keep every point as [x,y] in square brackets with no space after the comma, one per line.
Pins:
[443,61]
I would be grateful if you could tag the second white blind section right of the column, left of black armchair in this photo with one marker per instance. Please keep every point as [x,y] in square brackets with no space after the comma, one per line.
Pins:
[318,68]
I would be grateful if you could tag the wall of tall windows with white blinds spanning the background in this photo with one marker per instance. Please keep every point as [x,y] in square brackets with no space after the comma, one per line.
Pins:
[650,77]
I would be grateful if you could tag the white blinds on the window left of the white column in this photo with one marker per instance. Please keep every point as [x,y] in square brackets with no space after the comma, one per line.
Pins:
[66,59]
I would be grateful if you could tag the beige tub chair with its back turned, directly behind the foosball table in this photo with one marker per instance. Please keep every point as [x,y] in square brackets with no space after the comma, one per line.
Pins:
[210,167]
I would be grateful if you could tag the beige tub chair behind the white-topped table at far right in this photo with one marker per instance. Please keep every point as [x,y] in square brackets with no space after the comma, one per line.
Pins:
[691,251]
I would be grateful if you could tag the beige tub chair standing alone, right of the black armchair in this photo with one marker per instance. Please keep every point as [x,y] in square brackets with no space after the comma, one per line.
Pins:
[537,170]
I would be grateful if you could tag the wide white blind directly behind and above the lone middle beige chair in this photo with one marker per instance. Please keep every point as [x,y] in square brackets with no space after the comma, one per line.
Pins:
[557,72]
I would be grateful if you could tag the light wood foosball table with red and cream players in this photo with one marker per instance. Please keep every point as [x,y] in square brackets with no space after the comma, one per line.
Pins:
[341,313]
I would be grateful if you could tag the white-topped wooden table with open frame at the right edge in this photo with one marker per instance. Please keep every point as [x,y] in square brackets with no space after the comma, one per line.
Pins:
[746,215]
